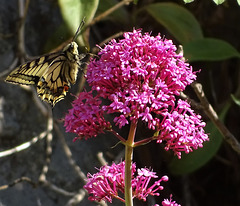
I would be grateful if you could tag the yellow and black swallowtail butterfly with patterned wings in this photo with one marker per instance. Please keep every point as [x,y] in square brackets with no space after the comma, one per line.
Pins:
[53,73]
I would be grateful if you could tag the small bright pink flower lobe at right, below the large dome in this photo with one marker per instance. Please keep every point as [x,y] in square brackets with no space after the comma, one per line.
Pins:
[182,129]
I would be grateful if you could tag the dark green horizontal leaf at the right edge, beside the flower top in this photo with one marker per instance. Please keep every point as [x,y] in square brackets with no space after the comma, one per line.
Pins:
[209,49]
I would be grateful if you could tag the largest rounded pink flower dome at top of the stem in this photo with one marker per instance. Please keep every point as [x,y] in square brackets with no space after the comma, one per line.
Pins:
[140,75]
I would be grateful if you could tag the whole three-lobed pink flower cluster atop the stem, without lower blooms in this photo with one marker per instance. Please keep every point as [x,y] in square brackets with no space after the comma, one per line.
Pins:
[138,78]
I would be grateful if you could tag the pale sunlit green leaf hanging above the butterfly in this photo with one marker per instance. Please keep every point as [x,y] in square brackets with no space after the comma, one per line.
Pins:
[73,11]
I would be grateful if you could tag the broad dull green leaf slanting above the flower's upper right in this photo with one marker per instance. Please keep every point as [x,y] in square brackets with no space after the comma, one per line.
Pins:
[178,21]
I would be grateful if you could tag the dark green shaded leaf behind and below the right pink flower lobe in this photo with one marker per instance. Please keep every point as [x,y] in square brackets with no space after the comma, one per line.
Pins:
[196,159]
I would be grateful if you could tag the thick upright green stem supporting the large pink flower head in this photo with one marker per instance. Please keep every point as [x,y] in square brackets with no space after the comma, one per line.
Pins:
[128,164]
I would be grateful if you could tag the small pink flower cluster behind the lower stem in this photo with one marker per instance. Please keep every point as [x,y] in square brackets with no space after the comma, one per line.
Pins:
[108,183]
